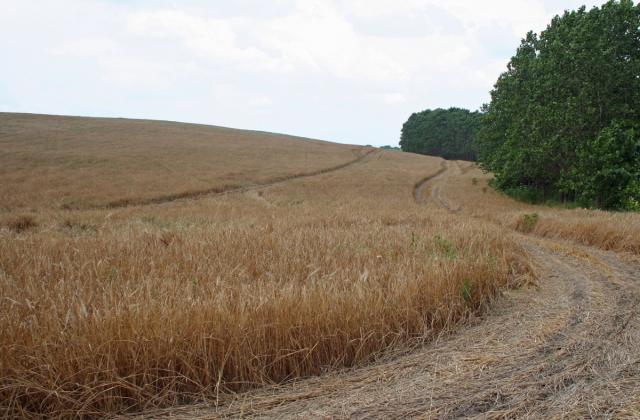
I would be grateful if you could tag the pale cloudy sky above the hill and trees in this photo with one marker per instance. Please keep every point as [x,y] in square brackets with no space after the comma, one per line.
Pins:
[350,71]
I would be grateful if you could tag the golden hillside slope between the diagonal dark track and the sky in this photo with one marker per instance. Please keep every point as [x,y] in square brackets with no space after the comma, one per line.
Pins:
[72,162]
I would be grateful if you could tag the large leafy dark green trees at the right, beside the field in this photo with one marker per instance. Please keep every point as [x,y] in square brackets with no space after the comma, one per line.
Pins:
[564,119]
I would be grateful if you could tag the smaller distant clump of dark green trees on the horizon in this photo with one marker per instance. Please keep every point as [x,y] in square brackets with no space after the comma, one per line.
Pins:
[448,133]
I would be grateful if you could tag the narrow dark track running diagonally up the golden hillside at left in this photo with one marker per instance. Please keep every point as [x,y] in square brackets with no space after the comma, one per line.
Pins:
[221,191]
